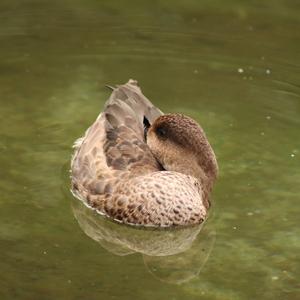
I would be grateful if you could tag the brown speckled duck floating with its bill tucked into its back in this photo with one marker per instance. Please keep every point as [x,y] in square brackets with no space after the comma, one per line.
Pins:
[139,166]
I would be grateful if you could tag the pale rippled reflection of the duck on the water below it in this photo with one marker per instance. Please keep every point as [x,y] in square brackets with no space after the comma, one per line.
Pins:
[173,255]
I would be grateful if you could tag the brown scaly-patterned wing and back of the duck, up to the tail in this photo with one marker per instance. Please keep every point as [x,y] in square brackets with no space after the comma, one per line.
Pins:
[114,146]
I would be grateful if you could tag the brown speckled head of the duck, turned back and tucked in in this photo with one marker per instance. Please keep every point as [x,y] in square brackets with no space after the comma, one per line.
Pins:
[180,144]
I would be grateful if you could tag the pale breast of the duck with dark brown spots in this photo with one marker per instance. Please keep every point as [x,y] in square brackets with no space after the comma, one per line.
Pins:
[158,199]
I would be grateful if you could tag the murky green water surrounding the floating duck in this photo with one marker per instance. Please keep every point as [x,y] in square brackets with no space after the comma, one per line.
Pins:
[233,65]
